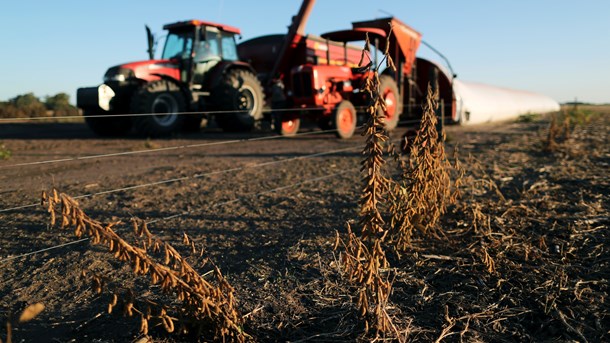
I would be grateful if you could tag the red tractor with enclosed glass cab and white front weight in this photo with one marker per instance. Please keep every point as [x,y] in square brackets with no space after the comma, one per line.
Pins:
[199,70]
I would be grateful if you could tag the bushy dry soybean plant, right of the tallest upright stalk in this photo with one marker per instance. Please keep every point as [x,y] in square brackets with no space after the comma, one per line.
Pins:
[421,196]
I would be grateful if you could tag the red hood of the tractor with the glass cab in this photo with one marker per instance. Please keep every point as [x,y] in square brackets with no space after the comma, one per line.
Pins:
[148,70]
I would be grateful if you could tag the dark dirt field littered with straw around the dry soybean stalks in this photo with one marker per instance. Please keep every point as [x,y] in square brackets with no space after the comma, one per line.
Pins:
[541,218]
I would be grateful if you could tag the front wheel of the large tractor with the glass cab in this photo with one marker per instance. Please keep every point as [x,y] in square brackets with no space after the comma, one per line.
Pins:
[161,97]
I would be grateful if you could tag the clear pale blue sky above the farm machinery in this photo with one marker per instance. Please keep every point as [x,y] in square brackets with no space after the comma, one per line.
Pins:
[559,48]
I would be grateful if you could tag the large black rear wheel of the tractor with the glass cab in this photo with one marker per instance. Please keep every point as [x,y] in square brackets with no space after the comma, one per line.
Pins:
[240,90]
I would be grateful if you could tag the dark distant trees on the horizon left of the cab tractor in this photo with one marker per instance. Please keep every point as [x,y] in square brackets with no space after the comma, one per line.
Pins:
[29,105]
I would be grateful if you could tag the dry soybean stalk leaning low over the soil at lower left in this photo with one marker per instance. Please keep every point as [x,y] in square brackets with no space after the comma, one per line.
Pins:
[203,304]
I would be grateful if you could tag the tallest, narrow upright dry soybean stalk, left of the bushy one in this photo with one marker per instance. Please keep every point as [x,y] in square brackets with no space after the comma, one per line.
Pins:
[363,257]
